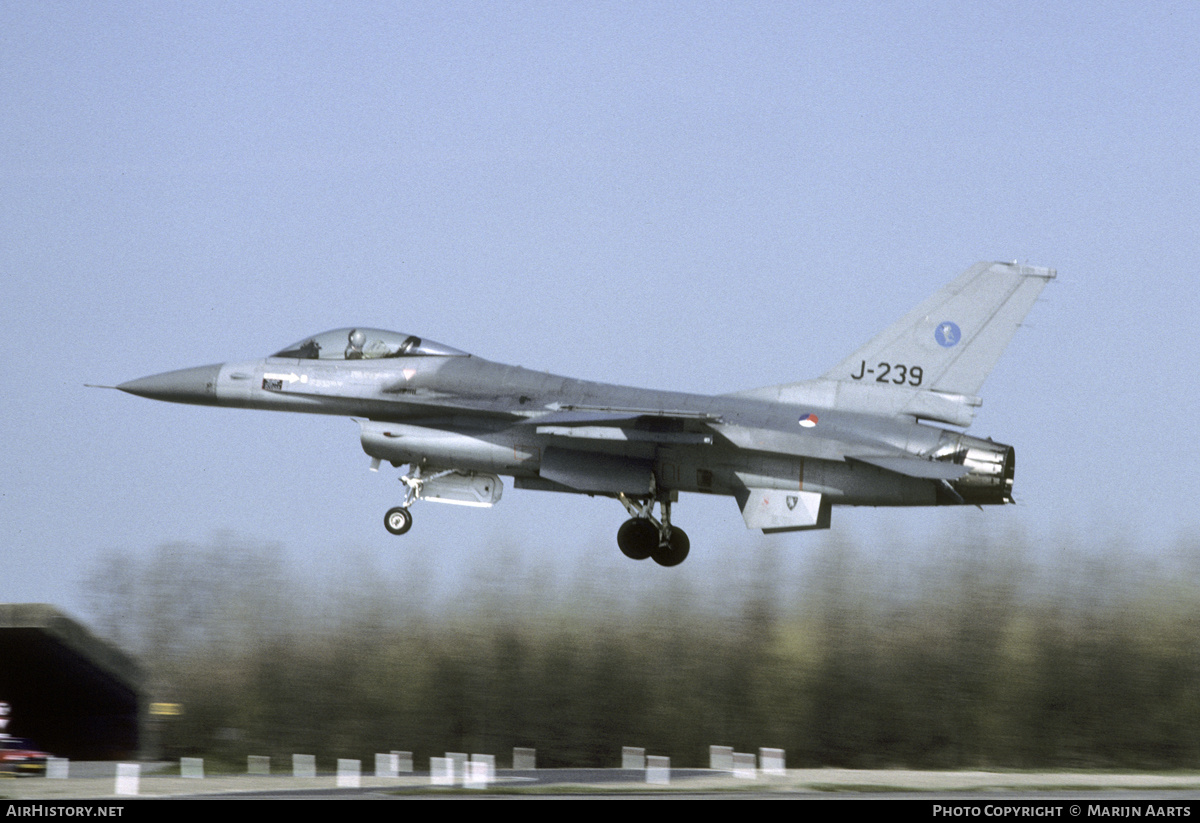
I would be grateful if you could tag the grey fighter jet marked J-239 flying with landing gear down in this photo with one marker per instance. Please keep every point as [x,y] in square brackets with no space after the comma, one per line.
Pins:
[869,432]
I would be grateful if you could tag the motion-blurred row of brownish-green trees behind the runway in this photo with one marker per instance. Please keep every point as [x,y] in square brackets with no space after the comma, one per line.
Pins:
[861,656]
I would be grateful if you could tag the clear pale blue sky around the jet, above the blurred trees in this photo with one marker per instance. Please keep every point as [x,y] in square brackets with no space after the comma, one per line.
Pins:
[701,197]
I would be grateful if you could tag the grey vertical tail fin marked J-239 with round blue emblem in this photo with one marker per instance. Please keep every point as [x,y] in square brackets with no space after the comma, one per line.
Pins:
[952,341]
